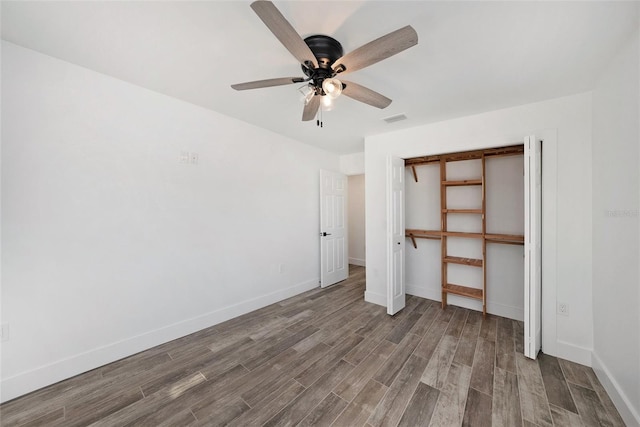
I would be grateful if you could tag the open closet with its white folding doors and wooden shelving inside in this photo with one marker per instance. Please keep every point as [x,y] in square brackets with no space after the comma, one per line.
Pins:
[465,229]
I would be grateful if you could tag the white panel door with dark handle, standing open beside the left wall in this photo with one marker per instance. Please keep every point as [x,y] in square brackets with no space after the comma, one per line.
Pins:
[334,258]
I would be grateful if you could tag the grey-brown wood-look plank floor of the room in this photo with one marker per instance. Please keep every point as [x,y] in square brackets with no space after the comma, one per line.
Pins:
[326,357]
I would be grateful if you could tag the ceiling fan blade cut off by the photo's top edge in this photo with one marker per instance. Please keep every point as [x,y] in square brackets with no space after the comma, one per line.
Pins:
[284,31]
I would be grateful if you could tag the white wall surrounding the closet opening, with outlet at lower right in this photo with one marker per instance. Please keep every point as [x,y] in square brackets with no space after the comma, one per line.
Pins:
[566,203]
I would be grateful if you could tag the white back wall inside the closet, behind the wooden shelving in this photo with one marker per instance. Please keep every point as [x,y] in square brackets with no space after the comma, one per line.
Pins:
[505,214]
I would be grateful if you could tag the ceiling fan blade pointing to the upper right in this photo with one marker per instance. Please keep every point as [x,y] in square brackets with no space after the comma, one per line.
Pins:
[377,50]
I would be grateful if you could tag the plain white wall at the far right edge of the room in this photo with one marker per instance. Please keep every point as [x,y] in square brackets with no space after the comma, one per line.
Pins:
[616,242]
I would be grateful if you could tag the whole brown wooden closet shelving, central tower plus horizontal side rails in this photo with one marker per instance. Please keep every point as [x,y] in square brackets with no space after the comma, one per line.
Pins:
[444,233]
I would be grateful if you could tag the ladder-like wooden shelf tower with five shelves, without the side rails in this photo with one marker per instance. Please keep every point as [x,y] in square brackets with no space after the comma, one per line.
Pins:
[451,288]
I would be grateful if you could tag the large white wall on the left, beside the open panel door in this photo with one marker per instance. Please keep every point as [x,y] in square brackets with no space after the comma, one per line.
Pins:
[111,245]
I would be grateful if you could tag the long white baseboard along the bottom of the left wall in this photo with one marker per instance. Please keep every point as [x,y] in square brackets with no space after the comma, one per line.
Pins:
[26,382]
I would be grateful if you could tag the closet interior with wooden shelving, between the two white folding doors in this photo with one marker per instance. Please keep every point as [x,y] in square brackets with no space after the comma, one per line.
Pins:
[455,195]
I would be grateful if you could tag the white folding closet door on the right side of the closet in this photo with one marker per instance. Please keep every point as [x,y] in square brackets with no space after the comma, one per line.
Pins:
[532,246]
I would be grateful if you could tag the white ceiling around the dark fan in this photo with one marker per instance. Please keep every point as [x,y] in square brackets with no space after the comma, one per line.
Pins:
[471,56]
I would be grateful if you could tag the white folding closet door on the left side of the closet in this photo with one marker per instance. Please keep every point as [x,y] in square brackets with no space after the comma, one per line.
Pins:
[395,235]
